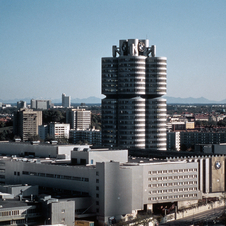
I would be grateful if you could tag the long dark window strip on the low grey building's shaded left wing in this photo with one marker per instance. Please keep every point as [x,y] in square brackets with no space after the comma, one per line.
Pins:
[55,176]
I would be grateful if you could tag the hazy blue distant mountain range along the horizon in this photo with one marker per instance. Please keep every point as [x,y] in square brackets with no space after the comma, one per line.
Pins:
[96,100]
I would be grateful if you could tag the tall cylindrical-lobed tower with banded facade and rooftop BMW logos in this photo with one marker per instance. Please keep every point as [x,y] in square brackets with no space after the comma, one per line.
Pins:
[133,79]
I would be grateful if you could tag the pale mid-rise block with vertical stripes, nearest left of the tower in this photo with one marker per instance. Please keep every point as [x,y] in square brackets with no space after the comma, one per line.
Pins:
[78,118]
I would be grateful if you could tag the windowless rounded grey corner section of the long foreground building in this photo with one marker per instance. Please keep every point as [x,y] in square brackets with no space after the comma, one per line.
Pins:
[114,190]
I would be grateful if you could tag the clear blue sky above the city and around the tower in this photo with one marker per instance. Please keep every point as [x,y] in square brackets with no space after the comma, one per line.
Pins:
[50,47]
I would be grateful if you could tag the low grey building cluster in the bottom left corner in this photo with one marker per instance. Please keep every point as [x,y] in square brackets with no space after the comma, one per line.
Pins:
[22,205]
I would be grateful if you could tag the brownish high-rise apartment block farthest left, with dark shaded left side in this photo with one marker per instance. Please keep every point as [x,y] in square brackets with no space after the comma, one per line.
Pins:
[26,122]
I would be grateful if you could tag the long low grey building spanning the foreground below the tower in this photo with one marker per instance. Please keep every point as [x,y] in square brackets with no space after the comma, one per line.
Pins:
[109,183]
